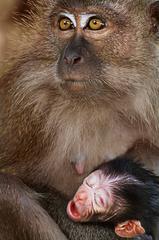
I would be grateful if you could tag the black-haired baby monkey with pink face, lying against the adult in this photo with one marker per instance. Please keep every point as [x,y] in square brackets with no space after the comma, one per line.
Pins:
[120,192]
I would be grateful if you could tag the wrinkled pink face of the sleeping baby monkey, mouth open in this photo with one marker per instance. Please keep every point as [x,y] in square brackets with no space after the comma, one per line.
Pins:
[94,197]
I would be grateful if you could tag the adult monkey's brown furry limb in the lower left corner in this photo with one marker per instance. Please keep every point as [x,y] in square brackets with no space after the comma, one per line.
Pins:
[21,216]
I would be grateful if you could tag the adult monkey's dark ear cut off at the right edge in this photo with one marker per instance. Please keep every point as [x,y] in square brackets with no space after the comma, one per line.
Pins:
[154,14]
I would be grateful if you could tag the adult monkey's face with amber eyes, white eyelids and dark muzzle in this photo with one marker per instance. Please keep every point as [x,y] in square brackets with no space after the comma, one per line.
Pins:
[100,47]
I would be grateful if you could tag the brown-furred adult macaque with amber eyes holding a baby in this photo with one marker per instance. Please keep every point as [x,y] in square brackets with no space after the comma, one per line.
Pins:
[78,86]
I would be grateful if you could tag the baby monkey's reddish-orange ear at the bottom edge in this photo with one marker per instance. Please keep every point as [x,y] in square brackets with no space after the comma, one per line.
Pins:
[129,229]
